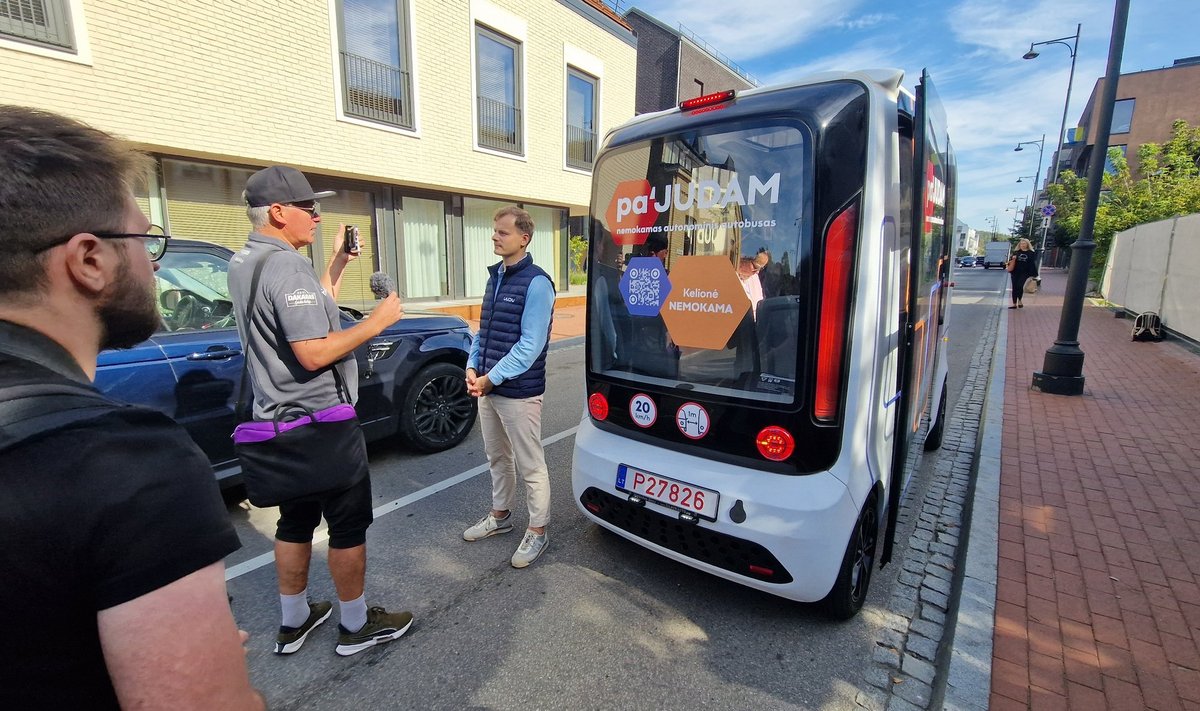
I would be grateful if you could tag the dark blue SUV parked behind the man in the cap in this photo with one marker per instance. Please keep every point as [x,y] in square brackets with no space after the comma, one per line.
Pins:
[411,378]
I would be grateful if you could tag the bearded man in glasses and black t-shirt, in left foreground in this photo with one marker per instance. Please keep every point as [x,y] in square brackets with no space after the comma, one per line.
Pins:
[113,529]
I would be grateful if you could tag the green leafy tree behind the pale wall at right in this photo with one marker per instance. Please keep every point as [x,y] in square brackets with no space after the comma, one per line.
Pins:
[1168,184]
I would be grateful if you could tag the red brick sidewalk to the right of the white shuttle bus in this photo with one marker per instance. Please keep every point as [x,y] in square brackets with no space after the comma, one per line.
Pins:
[1097,598]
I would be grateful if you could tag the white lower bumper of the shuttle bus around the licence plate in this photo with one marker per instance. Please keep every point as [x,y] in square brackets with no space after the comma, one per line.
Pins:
[784,535]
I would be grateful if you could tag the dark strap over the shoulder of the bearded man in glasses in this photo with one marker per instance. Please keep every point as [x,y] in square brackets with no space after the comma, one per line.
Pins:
[28,411]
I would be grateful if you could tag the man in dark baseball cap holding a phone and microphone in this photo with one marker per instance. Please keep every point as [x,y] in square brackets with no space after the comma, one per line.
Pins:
[298,352]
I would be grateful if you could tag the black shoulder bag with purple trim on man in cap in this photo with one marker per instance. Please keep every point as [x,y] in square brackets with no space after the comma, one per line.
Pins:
[301,453]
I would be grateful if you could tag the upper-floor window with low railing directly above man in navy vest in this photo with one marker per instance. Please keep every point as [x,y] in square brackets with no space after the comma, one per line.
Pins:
[499,92]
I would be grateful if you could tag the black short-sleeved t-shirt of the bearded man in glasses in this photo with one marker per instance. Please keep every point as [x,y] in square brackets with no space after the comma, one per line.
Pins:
[94,516]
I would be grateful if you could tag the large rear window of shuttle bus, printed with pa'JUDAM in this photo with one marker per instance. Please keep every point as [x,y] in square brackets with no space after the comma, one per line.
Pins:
[698,252]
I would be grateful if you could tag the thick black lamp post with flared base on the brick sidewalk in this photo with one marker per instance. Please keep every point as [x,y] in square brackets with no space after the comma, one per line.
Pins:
[1063,371]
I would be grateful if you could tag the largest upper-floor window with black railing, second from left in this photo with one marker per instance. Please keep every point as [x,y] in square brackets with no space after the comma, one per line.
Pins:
[376,81]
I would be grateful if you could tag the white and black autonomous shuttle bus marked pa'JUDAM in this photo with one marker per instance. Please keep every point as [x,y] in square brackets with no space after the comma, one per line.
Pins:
[767,308]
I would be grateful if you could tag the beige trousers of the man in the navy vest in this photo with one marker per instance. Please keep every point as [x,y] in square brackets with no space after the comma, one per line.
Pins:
[513,440]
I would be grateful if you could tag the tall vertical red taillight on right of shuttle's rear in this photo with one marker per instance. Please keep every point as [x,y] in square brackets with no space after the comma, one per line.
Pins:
[837,272]
